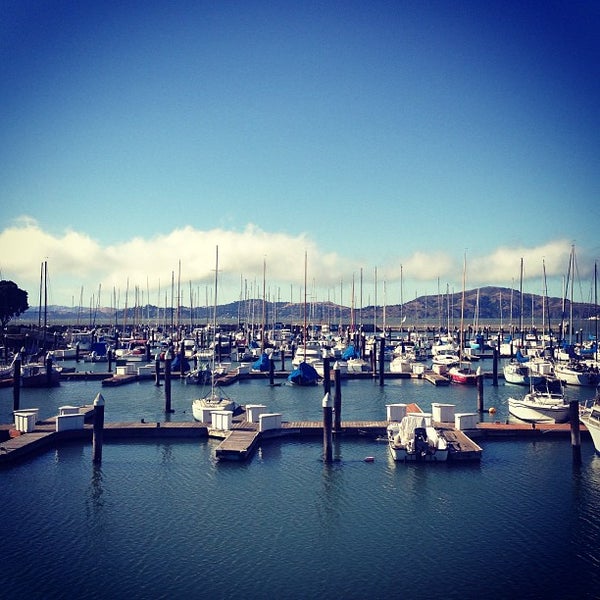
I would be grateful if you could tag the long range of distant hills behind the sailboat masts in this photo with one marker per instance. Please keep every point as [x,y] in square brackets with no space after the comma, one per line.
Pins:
[489,303]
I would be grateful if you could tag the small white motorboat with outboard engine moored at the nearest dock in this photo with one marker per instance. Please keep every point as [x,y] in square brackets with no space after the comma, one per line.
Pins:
[414,439]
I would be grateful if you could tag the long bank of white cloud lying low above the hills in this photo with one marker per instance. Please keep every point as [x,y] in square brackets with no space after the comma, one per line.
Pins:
[76,261]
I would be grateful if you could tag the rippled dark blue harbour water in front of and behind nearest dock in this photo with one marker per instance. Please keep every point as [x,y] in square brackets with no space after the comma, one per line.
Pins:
[164,520]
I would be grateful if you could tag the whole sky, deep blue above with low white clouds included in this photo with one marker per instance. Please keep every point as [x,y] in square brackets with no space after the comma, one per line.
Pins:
[377,137]
